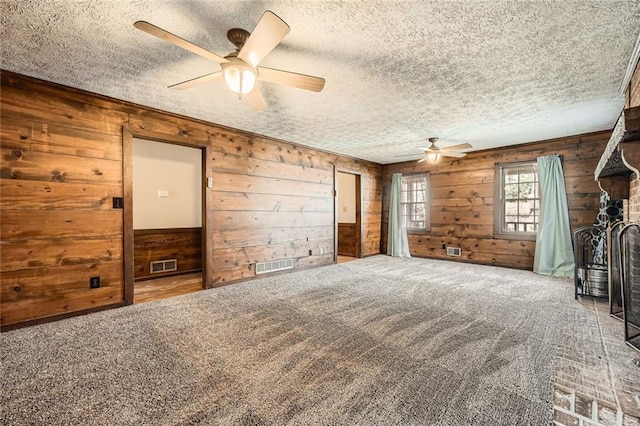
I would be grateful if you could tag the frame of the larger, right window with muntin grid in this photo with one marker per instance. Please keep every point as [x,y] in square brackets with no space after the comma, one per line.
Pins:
[500,222]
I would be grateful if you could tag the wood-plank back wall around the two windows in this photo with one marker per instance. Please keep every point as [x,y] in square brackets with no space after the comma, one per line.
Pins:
[462,199]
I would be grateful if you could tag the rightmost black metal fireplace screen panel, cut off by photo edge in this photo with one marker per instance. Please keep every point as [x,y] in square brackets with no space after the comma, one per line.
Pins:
[629,241]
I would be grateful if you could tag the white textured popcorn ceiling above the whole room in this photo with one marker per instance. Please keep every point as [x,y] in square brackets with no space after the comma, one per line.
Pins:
[490,73]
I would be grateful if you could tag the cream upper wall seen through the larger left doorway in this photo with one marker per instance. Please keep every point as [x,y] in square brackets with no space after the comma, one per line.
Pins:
[167,185]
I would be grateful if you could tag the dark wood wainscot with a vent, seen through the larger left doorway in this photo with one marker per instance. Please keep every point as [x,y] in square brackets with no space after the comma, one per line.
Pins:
[182,244]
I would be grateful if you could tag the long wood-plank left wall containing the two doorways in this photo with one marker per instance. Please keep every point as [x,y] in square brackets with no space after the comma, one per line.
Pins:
[62,162]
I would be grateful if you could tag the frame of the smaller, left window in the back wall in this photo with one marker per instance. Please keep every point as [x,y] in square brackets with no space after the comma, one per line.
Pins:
[409,202]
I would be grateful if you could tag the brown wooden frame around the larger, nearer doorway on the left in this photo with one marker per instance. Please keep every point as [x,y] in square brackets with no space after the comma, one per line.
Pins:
[127,181]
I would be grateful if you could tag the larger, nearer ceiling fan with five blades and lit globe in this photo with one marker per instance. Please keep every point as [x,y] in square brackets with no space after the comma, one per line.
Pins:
[240,68]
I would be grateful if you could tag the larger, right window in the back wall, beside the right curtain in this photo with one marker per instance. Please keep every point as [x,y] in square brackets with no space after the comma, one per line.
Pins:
[518,209]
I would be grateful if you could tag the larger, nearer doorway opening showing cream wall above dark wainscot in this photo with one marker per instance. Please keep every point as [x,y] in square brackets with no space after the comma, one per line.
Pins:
[166,229]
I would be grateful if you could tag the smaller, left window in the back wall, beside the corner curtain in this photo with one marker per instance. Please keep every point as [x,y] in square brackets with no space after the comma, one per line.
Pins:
[414,203]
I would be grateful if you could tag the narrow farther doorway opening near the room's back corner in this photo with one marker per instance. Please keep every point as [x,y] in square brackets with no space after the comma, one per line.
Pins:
[348,216]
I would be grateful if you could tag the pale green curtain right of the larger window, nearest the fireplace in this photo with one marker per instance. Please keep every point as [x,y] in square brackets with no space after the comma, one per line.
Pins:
[554,249]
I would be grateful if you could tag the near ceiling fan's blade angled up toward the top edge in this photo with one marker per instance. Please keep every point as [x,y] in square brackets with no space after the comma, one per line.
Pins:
[269,31]
